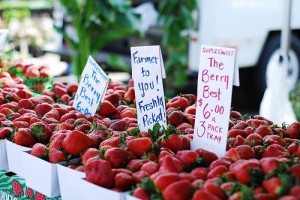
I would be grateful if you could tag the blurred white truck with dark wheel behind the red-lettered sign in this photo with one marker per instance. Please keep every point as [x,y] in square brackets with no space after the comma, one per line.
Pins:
[251,26]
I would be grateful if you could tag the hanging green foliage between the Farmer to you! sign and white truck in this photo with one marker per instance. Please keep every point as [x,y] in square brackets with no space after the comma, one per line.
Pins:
[177,16]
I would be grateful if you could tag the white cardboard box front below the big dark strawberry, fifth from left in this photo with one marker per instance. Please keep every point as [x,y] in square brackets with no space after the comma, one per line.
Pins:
[94,192]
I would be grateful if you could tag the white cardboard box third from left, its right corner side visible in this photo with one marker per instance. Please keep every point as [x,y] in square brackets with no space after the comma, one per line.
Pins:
[40,175]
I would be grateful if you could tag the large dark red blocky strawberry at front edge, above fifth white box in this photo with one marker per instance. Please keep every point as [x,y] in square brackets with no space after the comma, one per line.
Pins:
[99,172]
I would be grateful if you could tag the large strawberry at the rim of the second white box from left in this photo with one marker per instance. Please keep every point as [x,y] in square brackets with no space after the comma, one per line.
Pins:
[23,137]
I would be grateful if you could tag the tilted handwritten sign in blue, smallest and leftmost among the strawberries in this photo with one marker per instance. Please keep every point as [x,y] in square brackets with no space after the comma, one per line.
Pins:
[91,88]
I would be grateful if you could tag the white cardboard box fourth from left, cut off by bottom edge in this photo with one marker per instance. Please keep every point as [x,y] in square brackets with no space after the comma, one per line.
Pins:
[70,182]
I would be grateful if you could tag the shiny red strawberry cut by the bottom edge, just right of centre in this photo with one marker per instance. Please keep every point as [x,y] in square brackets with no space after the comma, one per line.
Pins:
[178,190]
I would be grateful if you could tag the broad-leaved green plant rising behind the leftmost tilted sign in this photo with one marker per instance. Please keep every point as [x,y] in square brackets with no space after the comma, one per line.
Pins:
[97,23]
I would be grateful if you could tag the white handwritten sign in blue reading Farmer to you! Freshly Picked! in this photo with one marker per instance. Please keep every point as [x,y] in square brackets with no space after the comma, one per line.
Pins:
[147,73]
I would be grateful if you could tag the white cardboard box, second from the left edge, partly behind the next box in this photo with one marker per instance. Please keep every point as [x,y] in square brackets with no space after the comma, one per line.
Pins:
[14,156]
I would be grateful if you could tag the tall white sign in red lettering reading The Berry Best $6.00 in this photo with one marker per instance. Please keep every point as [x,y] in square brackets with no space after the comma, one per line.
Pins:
[215,80]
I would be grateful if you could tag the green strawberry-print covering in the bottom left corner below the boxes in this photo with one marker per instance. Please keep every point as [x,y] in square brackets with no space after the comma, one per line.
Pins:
[14,187]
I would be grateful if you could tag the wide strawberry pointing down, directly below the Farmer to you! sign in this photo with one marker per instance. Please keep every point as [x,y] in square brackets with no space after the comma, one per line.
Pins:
[139,146]
